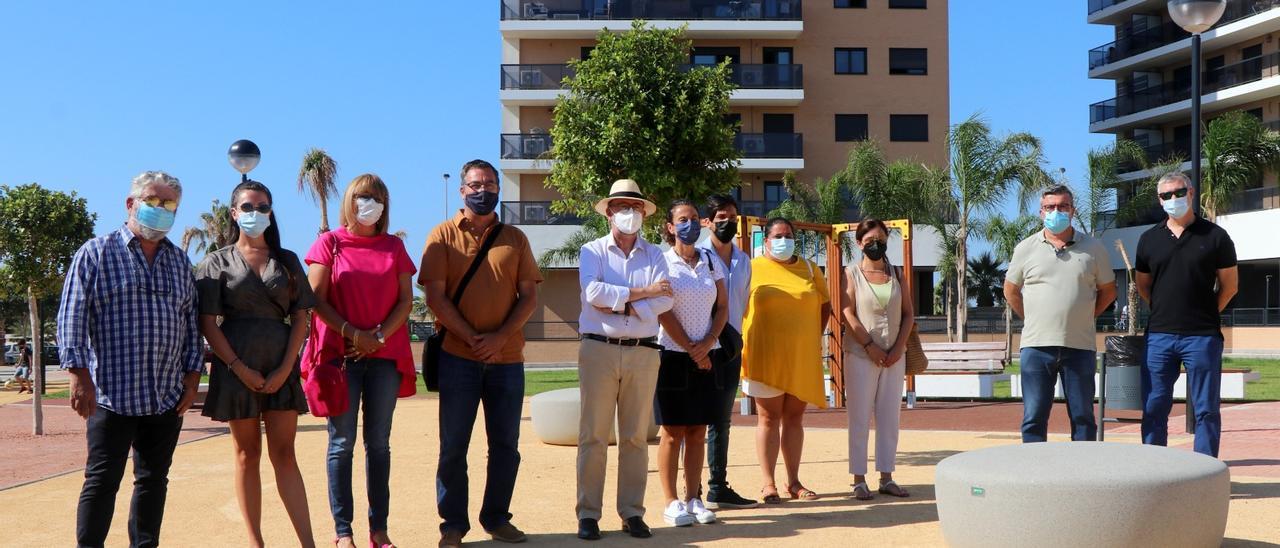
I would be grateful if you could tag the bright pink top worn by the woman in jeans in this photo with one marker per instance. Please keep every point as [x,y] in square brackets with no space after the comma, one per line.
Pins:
[364,287]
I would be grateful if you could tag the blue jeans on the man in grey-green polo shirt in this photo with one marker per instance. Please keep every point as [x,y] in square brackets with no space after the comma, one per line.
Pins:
[1041,368]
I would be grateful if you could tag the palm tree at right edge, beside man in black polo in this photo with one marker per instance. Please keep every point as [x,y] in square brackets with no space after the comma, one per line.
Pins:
[1238,150]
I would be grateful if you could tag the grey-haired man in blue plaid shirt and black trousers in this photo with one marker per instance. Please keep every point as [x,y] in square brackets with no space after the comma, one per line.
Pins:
[129,335]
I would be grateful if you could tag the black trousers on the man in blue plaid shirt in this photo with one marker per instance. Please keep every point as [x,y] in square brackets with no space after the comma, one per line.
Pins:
[111,437]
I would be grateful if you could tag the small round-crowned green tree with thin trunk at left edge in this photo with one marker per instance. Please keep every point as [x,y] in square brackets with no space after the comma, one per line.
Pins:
[40,230]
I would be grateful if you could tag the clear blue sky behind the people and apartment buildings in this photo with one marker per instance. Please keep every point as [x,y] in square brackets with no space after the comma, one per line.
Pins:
[97,93]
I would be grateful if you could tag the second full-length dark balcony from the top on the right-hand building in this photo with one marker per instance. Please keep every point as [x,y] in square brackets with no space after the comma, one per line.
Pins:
[1240,79]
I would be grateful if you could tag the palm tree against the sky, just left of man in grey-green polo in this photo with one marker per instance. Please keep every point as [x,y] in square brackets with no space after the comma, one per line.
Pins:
[984,168]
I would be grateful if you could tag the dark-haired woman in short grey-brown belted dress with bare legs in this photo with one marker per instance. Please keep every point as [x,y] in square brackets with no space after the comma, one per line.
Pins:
[262,298]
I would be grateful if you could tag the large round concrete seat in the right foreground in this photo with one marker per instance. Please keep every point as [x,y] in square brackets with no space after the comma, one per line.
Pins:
[1082,495]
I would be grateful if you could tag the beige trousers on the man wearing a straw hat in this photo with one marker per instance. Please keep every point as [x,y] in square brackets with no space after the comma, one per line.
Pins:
[615,381]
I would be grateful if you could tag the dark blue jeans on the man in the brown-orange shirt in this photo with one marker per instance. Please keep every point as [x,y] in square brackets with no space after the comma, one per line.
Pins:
[465,386]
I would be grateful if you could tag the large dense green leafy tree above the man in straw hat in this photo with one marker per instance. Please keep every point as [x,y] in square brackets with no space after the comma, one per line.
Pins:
[633,111]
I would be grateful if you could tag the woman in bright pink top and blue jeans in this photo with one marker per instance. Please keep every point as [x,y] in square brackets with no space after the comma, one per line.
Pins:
[362,276]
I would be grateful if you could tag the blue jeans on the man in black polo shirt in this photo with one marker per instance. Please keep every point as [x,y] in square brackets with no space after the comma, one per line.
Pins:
[1204,359]
